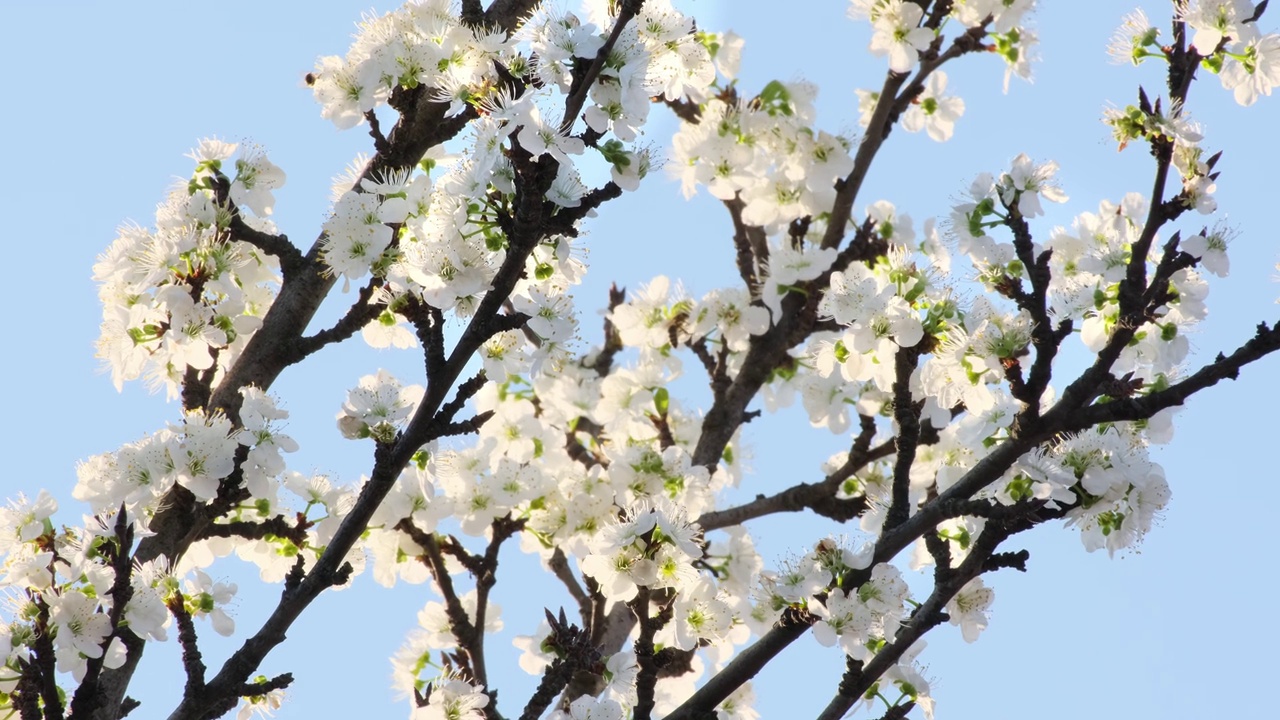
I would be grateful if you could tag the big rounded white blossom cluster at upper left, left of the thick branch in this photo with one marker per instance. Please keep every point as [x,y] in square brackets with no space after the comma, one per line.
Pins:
[188,297]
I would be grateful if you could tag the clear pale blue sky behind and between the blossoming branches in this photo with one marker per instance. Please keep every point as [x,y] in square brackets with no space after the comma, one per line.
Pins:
[104,101]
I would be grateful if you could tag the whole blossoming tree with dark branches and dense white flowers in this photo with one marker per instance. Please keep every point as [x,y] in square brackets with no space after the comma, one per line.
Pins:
[935,352]
